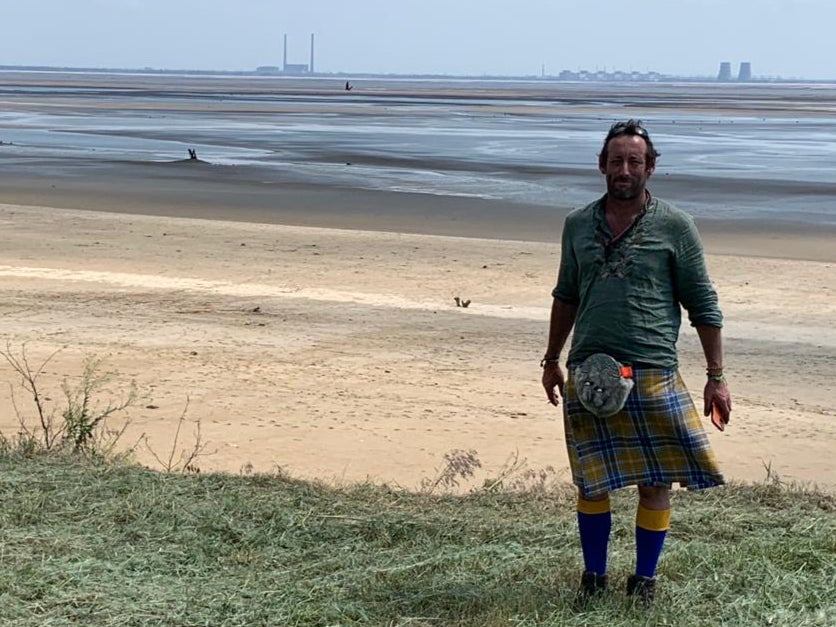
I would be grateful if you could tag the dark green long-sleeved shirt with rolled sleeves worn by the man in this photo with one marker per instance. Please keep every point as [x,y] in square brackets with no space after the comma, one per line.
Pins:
[628,292]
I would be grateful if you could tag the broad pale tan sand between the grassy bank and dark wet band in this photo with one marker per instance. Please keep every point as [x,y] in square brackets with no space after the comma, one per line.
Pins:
[340,353]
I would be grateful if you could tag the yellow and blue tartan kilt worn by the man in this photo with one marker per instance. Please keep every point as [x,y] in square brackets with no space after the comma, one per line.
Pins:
[657,438]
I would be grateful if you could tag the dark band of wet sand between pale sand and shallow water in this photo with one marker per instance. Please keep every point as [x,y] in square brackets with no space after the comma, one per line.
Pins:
[207,191]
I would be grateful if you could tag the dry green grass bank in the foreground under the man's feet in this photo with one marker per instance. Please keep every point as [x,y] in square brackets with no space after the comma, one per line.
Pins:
[114,544]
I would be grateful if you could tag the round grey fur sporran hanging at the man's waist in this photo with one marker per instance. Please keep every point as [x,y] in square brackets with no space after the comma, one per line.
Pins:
[601,385]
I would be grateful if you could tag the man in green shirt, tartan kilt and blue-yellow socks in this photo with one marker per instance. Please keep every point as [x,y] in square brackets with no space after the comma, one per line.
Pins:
[628,261]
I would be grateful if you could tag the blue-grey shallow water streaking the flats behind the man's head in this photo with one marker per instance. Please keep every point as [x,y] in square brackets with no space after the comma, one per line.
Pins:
[720,163]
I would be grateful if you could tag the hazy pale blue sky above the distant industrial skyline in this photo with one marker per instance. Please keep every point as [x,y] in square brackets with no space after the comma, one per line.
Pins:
[788,38]
